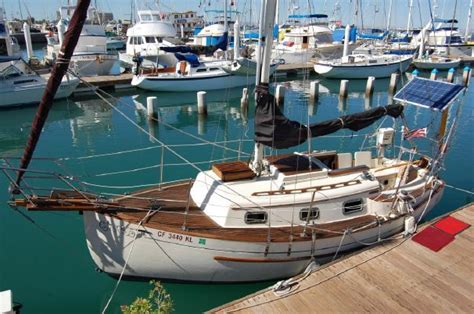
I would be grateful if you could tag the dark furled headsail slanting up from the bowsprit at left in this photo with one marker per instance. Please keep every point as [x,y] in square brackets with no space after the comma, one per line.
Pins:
[71,38]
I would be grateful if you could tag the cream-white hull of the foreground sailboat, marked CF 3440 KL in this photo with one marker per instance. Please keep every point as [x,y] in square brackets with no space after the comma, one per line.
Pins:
[166,255]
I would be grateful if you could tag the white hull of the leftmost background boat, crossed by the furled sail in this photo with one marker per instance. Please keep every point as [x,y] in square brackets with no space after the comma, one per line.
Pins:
[28,95]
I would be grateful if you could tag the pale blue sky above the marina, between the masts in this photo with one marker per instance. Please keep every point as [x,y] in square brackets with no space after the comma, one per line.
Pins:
[374,12]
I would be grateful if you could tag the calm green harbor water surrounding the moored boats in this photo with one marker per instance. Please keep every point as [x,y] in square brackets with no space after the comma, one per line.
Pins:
[46,263]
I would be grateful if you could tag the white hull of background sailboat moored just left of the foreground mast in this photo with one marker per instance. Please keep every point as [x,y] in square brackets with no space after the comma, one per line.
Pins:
[189,84]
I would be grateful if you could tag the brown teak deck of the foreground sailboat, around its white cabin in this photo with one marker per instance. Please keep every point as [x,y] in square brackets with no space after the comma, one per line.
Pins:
[171,217]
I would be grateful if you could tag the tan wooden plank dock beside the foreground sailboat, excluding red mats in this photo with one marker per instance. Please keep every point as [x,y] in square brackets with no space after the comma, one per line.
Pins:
[398,276]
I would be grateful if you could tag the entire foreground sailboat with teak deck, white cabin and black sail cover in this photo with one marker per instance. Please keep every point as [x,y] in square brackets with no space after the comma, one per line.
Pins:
[267,218]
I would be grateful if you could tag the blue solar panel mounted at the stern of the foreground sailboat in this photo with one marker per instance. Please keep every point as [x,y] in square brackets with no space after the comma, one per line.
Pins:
[436,95]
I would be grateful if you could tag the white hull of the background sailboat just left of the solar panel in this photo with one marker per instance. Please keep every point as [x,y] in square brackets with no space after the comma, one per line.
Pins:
[361,71]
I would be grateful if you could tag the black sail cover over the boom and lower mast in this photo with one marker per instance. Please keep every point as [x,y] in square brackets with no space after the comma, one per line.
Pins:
[275,130]
